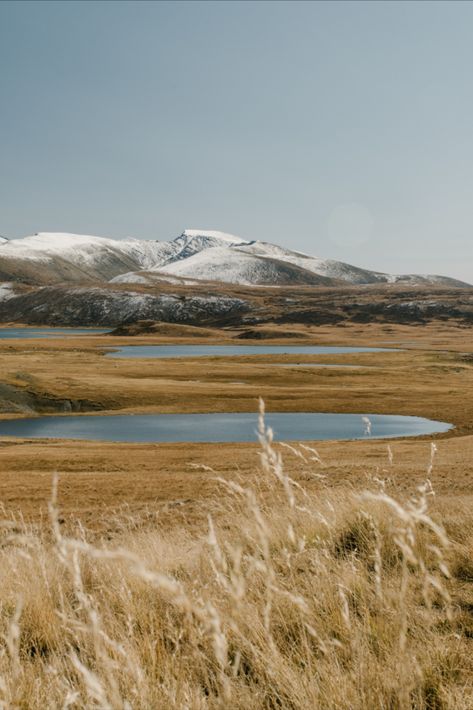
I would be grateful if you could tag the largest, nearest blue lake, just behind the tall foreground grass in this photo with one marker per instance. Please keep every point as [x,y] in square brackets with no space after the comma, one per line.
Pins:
[219,427]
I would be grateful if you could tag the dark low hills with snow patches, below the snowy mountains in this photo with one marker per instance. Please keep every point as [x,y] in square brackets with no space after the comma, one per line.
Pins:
[235,306]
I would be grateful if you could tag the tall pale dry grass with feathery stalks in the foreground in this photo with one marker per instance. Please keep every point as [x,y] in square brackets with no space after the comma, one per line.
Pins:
[293,598]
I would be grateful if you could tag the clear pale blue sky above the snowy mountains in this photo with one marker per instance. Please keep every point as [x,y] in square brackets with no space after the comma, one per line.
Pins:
[340,129]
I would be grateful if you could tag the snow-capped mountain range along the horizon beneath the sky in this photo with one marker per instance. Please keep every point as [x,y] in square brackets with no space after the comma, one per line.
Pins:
[197,255]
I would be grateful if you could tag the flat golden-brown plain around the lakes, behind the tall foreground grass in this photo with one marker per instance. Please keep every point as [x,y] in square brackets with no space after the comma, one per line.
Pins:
[430,377]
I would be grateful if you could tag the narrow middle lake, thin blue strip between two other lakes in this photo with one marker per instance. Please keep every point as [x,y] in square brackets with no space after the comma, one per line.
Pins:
[172,351]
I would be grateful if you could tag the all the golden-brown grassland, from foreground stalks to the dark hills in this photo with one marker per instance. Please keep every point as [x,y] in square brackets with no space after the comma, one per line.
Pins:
[222,576]
